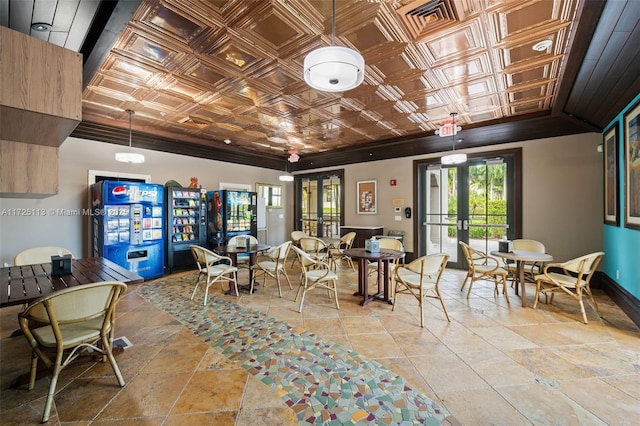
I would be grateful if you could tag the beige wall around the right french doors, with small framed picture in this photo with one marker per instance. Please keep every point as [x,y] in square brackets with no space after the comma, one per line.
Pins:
[562,190]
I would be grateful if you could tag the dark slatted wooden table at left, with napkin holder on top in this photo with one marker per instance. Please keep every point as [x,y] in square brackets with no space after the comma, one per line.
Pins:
[26,283]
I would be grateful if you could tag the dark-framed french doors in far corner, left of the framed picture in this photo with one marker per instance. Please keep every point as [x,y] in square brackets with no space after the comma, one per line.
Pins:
[319,200]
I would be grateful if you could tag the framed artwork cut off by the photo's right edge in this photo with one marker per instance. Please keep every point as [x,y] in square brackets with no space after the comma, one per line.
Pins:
[632,167]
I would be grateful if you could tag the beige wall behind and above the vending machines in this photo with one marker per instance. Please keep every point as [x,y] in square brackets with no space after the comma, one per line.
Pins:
[77,156]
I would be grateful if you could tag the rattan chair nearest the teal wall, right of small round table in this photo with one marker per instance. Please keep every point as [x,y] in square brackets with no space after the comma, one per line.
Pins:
[573,278]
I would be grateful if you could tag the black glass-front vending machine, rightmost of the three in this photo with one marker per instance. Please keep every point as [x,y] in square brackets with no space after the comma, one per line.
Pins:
[231,213]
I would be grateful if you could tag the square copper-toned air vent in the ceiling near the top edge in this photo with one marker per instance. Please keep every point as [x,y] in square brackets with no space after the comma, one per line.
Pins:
[422,18]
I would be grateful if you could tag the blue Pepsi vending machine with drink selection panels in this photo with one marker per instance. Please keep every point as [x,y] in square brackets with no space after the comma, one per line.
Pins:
[128,226]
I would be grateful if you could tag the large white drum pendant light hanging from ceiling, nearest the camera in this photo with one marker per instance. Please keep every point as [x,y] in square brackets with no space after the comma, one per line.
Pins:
[333,68]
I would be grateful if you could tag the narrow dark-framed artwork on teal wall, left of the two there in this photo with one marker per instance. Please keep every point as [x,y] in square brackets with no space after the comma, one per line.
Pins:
[611,180]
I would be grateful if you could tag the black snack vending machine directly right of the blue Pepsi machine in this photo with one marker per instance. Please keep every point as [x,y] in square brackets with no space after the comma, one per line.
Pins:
[186,225]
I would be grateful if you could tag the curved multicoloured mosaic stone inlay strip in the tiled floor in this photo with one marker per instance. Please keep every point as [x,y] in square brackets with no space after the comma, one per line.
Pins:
[323,382]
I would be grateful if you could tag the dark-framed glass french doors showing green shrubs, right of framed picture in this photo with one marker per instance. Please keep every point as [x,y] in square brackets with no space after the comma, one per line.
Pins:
[475,202]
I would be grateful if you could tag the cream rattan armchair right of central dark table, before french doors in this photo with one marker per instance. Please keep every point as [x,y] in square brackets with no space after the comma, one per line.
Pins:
[421,279]
